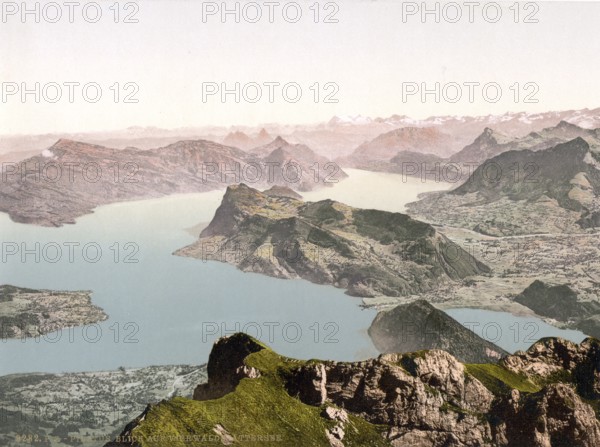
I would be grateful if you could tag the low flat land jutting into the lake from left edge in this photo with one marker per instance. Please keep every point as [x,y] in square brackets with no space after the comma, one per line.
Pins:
[31,313]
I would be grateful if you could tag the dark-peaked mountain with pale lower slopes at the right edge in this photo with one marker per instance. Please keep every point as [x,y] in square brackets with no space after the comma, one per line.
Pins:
[523,192]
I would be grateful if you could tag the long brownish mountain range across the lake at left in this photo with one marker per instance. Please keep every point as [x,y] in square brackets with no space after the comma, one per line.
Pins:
[71,178]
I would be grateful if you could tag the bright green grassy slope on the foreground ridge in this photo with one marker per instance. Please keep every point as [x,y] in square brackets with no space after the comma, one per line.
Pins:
[258,412]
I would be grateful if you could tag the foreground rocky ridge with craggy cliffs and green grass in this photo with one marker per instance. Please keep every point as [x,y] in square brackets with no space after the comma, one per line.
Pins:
[544,397]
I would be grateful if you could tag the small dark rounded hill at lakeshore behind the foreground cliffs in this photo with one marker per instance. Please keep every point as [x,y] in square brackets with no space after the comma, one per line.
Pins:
[419,325]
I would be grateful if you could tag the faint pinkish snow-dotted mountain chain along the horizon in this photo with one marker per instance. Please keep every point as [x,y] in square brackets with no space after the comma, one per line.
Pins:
[338,137]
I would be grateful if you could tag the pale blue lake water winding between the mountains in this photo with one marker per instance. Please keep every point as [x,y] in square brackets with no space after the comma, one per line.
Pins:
[165,309]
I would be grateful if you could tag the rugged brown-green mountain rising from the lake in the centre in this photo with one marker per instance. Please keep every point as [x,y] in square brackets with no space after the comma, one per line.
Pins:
[367,252]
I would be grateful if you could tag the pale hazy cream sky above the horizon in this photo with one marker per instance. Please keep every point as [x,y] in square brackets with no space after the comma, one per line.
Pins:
[369,54]
